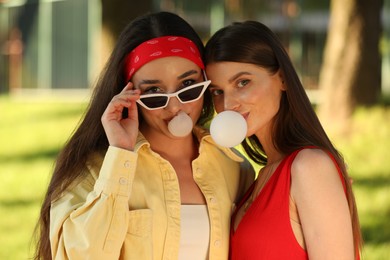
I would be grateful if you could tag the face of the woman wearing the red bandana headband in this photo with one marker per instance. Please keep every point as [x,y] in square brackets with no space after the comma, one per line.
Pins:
[163,76]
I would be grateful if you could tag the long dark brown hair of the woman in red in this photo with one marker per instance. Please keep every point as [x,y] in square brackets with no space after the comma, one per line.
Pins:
[296,124]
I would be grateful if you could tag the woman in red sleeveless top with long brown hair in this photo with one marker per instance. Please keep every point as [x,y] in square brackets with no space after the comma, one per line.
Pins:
[301,205]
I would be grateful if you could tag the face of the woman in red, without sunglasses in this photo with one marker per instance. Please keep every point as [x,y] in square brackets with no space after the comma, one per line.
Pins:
[248,89]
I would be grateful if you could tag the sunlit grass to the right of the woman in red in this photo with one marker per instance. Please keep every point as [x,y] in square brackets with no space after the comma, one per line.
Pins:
[367,154]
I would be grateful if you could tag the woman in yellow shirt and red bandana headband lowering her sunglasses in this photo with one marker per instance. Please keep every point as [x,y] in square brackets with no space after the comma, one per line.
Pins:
[141,178]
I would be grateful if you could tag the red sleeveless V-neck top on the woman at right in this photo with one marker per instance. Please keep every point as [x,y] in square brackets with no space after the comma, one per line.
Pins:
[265,231]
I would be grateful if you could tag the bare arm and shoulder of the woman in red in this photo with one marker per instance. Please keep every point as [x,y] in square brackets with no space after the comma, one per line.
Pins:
[318,193]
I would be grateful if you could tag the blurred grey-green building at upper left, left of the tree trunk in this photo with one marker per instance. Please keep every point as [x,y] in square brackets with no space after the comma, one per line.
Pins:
[47,44]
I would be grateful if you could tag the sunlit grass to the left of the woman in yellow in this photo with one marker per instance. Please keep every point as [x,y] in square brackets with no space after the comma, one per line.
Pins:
[31,134]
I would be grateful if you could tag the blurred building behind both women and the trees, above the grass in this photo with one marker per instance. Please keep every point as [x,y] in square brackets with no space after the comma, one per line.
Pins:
[49,45]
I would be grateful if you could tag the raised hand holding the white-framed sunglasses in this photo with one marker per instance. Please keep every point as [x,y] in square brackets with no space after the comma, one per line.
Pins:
[122,132]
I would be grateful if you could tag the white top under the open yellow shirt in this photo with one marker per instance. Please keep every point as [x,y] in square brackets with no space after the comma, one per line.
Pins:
[195,232]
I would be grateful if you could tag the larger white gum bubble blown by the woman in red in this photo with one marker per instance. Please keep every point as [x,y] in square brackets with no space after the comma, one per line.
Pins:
[228,128]
